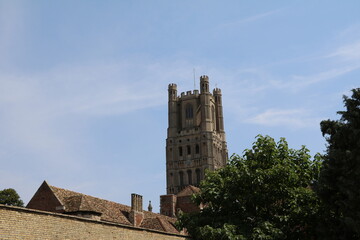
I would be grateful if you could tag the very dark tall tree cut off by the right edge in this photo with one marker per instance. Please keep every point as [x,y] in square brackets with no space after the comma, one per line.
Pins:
[338,184]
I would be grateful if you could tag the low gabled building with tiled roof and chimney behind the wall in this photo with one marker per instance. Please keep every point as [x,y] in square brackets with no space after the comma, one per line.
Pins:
[57,200]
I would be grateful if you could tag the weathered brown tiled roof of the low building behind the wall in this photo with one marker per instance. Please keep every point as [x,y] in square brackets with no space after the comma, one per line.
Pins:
[111,211]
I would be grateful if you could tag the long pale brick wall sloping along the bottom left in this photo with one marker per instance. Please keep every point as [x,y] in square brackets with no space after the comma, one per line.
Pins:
[22,223]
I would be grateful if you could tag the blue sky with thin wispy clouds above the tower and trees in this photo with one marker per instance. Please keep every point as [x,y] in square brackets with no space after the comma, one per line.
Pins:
[83,84]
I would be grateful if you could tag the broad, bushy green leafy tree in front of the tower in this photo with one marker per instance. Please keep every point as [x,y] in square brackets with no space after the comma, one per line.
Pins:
[265,194]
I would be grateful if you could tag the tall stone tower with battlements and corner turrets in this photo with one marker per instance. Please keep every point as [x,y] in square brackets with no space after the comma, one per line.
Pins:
[195,137]
